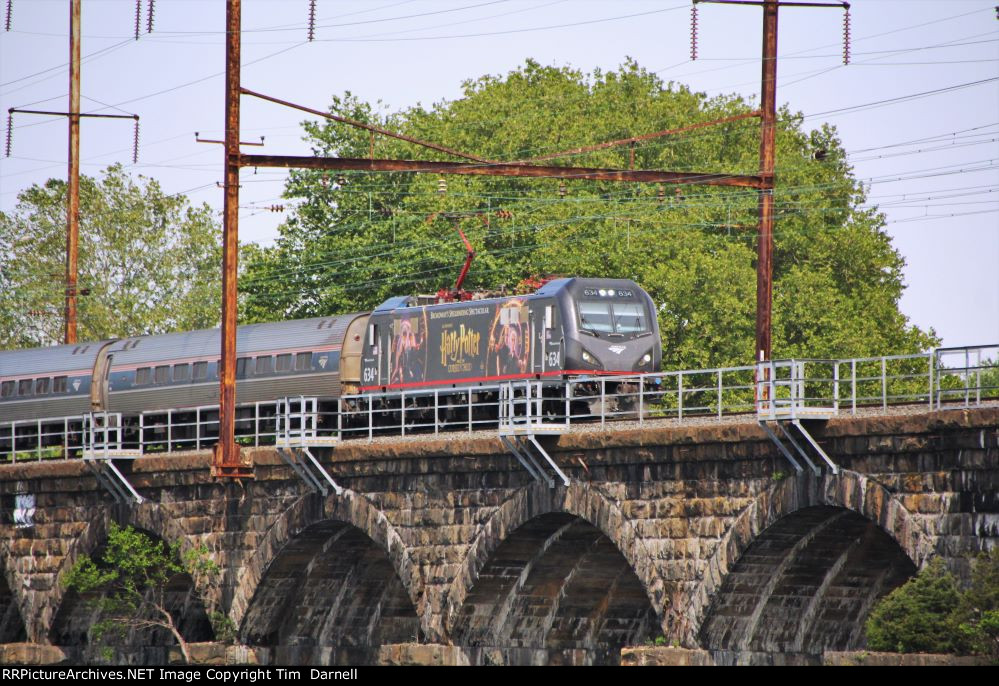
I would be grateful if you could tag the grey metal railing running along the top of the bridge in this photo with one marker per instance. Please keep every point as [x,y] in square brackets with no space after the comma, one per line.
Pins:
[945,377]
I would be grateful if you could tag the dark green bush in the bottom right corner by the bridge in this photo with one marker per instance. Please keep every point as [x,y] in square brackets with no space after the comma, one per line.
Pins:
[930,614]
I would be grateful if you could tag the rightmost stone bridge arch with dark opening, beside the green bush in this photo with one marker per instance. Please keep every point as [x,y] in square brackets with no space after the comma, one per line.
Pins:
[831,531]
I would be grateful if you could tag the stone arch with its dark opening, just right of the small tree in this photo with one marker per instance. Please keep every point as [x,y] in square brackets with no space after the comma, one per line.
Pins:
[330,583]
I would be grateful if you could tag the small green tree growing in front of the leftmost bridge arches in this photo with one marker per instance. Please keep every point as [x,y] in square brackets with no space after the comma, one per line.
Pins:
[127,585]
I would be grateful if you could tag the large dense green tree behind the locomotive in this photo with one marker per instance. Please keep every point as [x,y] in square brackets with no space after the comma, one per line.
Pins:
[355,238]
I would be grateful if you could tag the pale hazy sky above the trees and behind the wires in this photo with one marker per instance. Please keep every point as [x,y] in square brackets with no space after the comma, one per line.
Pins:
[917,108]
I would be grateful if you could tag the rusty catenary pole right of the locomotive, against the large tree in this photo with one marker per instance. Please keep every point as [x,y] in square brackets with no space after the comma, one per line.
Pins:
[765,246]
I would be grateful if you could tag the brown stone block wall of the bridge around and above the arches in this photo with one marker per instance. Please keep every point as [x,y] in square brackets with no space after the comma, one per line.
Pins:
[680,504]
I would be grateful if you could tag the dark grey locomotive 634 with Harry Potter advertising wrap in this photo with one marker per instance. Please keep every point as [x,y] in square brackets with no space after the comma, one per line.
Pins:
[568,327]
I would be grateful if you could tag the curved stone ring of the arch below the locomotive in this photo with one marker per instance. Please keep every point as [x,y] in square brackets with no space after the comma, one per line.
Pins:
[580,502]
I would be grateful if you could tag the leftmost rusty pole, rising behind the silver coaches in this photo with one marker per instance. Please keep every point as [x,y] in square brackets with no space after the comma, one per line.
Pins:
[73,187]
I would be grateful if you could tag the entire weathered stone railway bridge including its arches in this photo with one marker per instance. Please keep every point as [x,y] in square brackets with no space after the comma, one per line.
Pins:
[701,535]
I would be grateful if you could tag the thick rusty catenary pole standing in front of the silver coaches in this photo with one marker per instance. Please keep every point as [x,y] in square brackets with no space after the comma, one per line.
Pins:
[227,453]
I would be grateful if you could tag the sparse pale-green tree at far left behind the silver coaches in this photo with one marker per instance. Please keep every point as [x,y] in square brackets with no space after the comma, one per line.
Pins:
[150,262]
